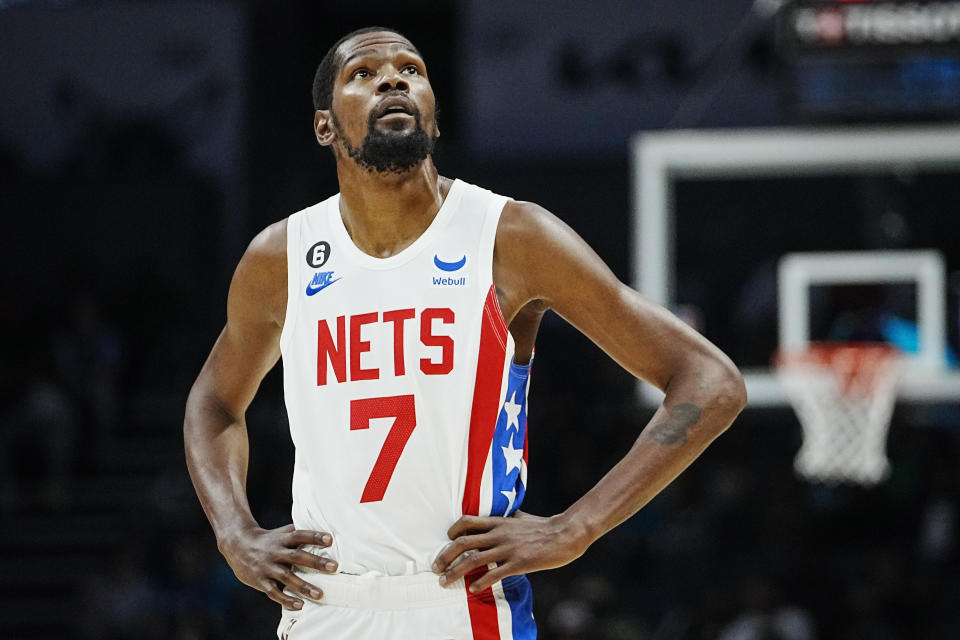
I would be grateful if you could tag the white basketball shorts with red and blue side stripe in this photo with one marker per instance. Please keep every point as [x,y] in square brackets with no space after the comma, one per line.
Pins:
[411,608]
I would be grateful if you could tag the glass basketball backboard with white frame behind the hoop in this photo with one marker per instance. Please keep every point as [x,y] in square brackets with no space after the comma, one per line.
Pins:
[666,163]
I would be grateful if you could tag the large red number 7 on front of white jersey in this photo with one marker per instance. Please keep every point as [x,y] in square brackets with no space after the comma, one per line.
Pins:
[366,409]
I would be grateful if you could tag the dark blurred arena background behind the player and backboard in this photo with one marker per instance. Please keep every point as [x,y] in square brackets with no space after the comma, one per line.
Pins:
[143,144]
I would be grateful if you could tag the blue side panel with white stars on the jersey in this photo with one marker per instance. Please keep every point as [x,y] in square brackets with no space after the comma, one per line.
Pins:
[507,464]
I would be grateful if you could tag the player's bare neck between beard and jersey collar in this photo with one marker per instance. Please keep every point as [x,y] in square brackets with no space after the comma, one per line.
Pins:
[386,213]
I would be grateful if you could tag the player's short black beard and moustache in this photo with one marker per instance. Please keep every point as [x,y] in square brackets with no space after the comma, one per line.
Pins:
[389,151]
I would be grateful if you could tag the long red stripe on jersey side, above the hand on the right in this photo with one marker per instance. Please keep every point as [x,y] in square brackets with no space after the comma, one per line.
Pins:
[486,399]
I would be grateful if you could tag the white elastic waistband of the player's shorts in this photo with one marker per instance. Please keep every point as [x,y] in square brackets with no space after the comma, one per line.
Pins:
[383,592]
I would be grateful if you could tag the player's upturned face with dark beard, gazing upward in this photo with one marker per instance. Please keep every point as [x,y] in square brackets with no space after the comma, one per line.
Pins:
[383,111]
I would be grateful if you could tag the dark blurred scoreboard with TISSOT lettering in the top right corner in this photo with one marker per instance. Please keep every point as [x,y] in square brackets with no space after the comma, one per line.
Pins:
[871,60]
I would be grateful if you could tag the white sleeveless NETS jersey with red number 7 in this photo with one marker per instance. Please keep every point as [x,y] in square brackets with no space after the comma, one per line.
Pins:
[404,406]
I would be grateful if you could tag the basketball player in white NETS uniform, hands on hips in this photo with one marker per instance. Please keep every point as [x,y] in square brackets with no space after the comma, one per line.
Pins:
[405,309]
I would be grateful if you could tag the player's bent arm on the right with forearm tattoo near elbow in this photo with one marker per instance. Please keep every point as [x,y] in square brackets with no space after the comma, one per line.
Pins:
[539,258]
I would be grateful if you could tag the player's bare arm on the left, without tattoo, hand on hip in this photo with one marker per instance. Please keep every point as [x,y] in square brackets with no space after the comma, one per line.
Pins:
[215,433]
